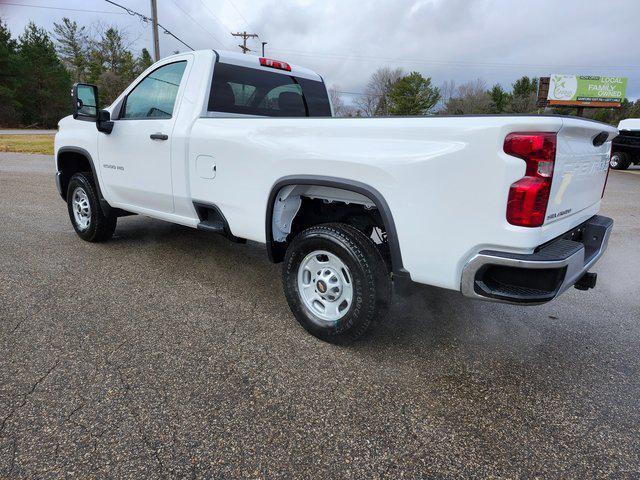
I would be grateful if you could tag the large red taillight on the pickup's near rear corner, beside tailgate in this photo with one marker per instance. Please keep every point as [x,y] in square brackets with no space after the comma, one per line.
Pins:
[529,196]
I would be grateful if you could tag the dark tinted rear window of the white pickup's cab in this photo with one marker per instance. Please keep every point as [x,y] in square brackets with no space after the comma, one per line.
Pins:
[251,91]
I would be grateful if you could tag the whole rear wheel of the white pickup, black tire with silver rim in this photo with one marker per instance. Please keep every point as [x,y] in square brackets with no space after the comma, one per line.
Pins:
[336,282]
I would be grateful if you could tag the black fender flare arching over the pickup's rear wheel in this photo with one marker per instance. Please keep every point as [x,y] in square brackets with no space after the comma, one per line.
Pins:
[274,250]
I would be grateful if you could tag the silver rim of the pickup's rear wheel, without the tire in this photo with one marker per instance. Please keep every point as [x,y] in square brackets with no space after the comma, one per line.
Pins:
[325,285]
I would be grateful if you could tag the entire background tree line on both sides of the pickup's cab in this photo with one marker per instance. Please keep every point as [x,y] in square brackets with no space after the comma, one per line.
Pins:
[38,68]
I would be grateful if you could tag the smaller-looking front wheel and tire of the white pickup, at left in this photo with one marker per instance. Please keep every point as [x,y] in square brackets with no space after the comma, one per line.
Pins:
[85,212]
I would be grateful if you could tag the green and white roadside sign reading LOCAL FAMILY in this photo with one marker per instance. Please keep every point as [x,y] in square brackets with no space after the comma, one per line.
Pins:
[586,91]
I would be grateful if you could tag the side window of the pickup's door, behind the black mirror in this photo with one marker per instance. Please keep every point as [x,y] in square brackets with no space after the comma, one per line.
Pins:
[155,96]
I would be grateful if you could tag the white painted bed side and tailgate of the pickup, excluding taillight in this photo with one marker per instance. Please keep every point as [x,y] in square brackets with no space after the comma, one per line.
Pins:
[446,179]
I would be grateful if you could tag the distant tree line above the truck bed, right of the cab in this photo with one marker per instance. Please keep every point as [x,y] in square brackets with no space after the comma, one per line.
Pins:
[392,92]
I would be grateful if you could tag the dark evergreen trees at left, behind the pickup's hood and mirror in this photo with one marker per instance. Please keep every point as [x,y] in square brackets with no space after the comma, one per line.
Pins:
[38,69]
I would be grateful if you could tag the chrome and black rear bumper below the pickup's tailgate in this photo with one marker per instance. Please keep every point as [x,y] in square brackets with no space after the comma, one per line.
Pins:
[541,276]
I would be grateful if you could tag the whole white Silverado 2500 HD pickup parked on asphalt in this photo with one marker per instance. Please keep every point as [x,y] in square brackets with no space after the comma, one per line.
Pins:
[501,208]
